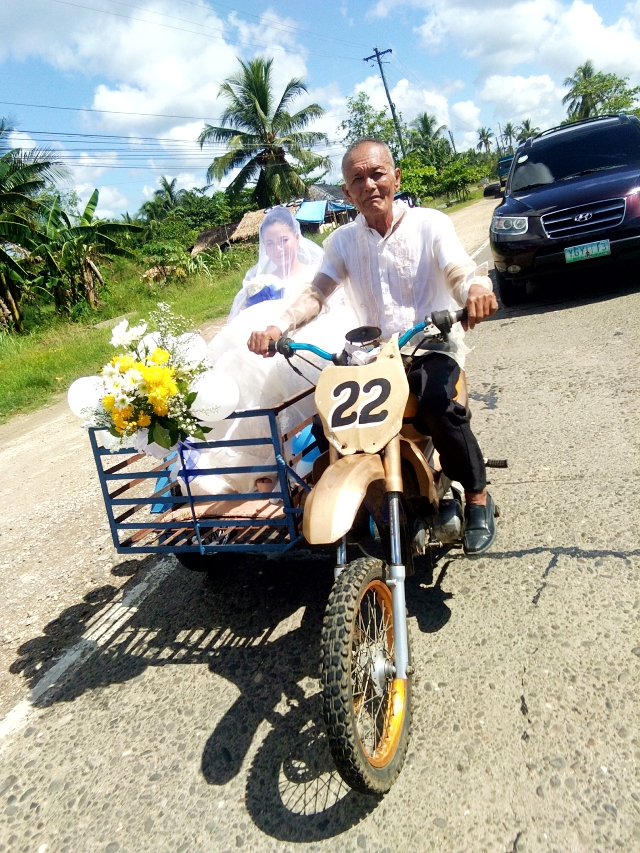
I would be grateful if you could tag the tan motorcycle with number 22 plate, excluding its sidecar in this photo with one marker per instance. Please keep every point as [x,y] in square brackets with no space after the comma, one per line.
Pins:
[377,468]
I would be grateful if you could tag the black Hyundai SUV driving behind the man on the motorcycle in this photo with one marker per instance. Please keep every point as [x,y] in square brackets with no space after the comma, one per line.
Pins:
[572,196]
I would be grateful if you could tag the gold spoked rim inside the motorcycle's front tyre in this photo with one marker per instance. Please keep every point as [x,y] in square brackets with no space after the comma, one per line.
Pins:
[379,704]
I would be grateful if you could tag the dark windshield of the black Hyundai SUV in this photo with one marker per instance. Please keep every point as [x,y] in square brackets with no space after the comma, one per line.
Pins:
[572,154]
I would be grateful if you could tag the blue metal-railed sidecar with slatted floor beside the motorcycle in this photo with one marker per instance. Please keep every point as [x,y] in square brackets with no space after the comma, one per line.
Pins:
[152,509]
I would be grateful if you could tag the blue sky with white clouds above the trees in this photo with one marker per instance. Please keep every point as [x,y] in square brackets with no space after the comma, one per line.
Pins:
[139,76]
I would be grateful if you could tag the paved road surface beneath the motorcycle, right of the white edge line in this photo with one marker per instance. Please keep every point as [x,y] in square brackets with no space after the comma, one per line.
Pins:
[184,715]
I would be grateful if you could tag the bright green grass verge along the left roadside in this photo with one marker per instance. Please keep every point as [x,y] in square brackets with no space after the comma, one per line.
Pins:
[37,366]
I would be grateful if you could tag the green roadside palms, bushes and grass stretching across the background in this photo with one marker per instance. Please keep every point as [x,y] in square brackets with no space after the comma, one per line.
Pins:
[65,273]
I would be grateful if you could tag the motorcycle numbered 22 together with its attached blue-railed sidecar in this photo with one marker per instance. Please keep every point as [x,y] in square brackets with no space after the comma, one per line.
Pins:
[378,477]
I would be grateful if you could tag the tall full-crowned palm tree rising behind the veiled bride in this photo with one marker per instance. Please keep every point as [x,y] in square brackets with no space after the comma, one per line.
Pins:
[260,133]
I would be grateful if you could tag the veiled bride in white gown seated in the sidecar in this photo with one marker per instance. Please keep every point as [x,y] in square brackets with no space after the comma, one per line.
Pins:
[287,263]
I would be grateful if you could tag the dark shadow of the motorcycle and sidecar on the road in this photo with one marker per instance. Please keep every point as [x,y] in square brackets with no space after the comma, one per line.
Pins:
[258,626]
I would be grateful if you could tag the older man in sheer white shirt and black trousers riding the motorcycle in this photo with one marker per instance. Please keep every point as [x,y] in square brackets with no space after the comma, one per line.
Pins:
[398,265]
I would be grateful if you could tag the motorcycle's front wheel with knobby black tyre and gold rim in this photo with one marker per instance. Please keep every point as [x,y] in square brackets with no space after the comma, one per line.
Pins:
[367,711]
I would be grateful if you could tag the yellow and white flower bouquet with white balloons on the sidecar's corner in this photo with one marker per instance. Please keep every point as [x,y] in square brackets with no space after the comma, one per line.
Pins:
[158,390]
